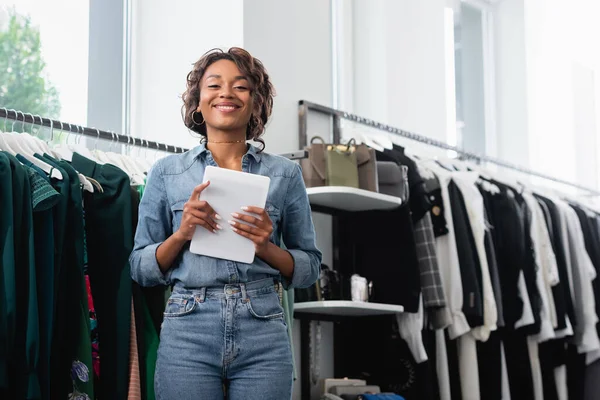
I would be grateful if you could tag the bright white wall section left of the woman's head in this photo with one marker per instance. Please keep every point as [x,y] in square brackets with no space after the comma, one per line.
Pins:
[168,37]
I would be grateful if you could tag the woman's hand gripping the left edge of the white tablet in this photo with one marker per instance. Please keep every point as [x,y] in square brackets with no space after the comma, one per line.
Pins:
[197,212]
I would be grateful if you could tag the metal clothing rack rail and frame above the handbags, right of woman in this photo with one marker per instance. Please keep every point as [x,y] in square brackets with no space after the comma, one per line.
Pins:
[337,115]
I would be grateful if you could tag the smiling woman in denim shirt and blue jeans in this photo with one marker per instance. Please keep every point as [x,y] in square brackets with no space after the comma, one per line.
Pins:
[223,326]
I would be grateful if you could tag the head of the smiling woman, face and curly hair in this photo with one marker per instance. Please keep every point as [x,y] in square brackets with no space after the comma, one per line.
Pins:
[228,89]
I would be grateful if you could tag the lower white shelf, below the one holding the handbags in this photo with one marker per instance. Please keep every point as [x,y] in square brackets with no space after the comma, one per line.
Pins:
[345,308]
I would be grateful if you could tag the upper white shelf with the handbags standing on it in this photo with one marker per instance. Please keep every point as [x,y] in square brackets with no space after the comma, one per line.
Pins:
[351,199]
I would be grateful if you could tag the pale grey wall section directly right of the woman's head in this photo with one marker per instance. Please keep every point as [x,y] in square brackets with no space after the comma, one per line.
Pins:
[293,40]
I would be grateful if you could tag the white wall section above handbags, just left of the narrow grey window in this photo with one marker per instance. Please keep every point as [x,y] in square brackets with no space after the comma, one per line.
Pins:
[399,64]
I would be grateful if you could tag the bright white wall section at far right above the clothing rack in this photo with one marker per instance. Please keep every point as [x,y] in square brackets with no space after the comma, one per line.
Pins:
[562,109]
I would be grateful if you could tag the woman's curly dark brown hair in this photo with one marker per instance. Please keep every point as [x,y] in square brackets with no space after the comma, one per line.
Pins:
[262,90]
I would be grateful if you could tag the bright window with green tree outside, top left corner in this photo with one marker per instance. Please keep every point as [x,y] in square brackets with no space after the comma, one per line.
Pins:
[44,58]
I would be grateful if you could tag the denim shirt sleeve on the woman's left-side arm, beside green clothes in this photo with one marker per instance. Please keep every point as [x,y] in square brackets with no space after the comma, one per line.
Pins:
[154,227]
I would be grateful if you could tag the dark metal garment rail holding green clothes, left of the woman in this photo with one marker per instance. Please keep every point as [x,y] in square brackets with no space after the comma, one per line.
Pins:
[86,131]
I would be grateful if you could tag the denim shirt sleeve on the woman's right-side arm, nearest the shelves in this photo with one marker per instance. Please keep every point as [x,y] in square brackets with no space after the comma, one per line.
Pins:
[298,234]
